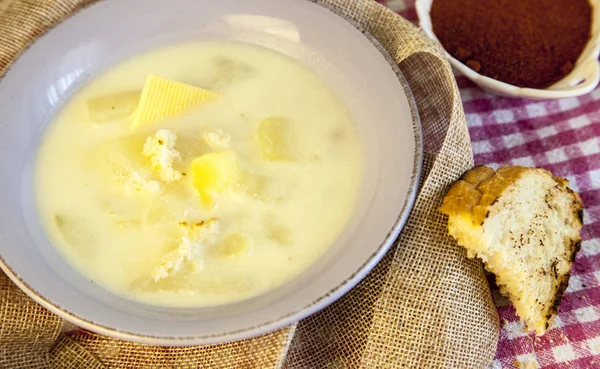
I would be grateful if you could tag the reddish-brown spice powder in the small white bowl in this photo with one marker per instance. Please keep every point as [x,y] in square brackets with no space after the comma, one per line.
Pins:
[527,43]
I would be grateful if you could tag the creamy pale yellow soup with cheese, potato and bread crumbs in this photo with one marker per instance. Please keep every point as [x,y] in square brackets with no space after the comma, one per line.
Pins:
[199,174]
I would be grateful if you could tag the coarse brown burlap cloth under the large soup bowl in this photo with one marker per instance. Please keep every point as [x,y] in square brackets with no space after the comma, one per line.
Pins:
[425,305]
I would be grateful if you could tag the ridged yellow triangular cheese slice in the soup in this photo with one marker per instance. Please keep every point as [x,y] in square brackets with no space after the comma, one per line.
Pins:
[162,98]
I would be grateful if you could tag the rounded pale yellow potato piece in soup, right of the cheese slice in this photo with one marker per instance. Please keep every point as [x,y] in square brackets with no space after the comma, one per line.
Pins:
[275,139]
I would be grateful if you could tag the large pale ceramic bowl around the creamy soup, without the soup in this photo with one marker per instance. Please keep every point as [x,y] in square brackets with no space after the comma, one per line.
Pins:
[59,62]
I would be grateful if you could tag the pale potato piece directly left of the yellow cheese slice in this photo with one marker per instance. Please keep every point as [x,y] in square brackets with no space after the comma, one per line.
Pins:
[107,108]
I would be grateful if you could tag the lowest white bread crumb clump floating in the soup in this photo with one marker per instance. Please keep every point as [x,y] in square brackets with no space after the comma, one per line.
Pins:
[196,238]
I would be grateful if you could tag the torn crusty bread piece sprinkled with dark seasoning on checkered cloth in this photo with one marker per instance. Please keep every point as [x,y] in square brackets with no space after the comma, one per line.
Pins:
[524,224]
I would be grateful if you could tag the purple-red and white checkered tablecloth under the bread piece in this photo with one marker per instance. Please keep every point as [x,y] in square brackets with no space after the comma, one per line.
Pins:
[562,136]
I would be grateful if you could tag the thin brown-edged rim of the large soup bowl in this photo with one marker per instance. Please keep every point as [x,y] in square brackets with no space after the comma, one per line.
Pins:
[302,311]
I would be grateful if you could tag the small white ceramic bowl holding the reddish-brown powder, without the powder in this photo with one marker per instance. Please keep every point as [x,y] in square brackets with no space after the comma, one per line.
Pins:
[583,79]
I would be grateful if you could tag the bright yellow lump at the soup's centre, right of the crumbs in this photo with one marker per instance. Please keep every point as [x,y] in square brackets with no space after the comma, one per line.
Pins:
[214,173]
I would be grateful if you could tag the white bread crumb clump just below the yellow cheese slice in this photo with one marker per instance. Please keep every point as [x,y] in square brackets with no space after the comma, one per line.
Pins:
[160,149]
